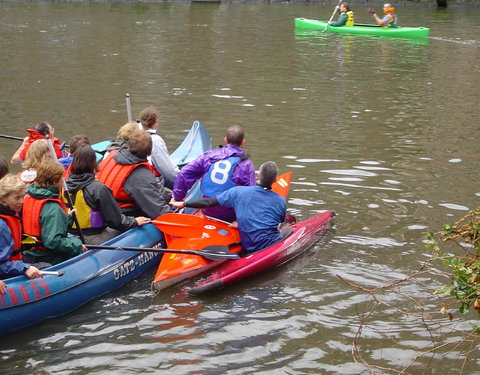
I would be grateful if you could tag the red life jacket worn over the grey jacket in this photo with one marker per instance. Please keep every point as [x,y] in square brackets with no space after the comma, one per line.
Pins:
[114,176]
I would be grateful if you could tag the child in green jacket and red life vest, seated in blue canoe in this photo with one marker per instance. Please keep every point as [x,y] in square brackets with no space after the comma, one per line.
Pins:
[46,218]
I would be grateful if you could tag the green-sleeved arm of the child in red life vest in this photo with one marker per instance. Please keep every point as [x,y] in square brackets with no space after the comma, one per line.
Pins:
[54,225]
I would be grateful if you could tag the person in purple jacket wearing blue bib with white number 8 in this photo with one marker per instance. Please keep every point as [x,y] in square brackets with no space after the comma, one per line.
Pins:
[220,169]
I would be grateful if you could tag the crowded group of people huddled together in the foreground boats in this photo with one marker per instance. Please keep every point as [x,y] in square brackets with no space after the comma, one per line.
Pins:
[136,182]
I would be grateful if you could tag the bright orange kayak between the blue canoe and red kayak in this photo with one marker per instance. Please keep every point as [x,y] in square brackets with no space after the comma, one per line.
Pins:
[174,268]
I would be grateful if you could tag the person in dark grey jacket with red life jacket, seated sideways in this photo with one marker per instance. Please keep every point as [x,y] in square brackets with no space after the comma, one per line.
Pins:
[130,177]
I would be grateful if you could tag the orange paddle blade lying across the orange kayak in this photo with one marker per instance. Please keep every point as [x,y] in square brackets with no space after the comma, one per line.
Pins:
[180,225]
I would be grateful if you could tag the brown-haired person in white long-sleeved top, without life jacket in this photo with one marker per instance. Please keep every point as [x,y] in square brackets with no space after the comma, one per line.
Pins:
[160,157]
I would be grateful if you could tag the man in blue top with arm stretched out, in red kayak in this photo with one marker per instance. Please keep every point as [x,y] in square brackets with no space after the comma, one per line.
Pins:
[259,210]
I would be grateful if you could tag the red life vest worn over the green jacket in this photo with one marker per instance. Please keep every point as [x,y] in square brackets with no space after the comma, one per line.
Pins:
[32,209]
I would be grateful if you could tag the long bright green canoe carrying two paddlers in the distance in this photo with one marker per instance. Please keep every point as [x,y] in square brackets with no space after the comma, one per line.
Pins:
[399,31]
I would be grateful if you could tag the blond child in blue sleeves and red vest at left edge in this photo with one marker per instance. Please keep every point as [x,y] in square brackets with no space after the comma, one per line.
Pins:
[12,192]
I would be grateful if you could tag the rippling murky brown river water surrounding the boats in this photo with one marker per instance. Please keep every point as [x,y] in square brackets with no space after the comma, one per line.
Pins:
[383,131]
